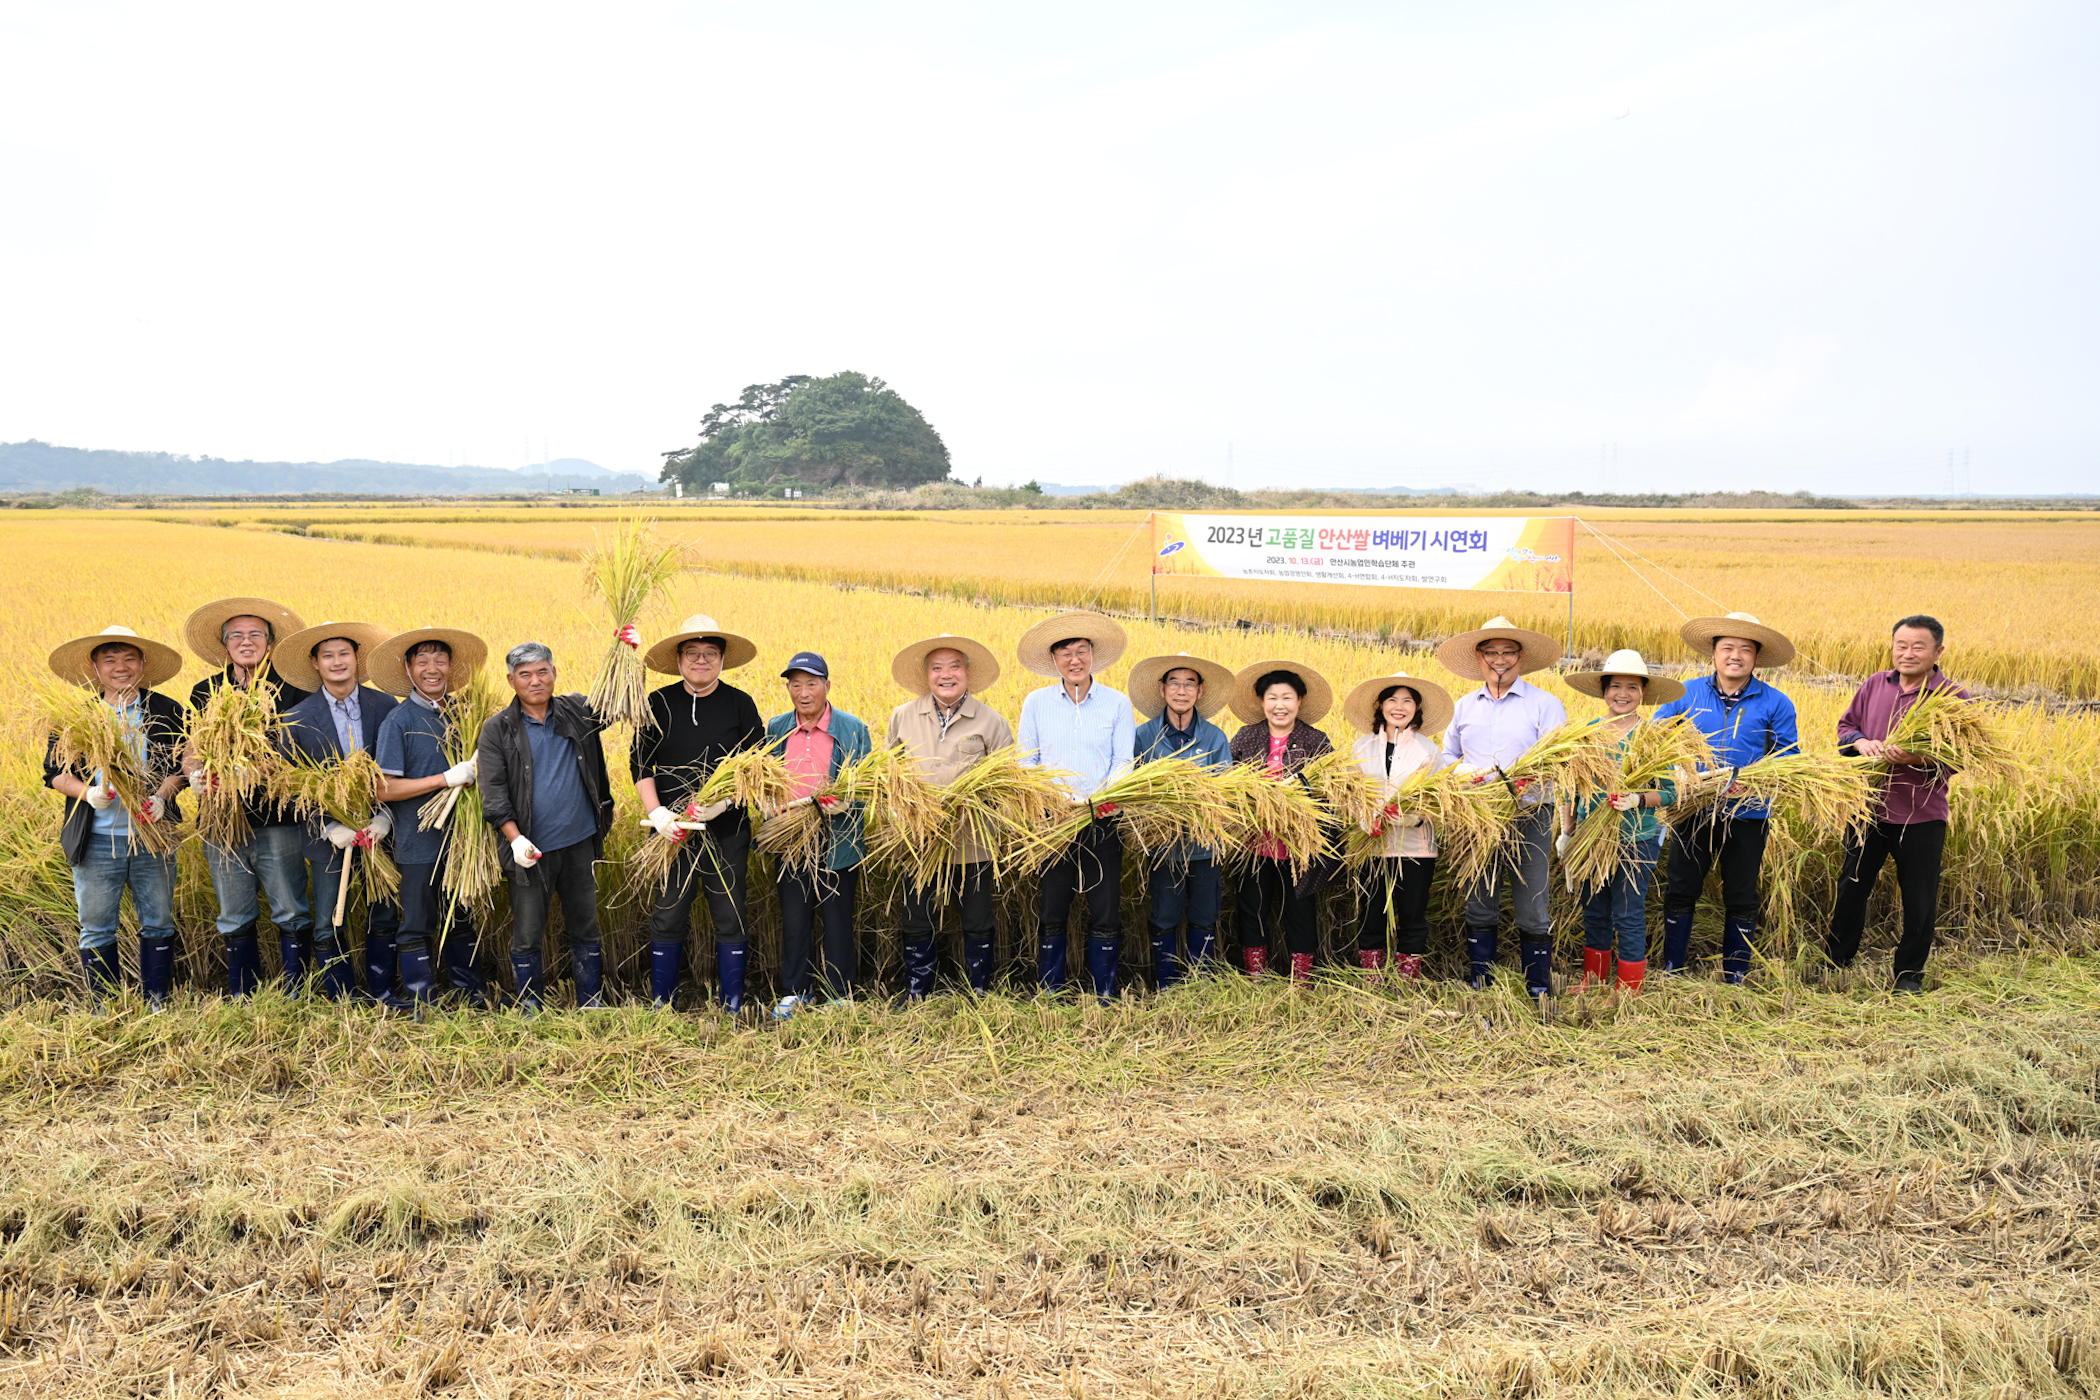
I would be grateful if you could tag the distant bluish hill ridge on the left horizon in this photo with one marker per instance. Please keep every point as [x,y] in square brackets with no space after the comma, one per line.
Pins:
[43,467]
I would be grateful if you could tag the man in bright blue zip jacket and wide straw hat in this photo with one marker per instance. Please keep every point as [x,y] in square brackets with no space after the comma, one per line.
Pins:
[1744,719]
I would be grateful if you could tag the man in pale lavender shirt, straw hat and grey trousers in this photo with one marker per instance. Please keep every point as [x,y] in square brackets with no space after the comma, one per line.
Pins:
[1490,731]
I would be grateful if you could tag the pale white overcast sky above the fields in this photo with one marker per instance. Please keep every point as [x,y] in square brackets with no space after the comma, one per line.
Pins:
[1584,247]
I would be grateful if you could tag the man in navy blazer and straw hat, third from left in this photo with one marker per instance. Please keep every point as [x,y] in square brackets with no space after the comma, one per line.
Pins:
[339,717]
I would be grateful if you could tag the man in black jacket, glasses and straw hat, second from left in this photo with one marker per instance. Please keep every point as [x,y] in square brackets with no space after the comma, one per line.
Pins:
[238,635]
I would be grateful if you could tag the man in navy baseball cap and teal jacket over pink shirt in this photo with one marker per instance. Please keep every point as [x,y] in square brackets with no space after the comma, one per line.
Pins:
[816,742]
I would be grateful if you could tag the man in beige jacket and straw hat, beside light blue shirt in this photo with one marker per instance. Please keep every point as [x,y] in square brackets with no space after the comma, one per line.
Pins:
[948,729]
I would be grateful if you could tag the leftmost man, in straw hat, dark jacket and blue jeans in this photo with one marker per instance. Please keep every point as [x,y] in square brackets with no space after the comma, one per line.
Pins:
[104,843]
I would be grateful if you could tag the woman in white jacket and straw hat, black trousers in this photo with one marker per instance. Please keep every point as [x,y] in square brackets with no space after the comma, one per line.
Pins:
[1398,717]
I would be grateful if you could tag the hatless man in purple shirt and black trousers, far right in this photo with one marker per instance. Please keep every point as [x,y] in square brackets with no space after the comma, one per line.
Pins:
[1912,822]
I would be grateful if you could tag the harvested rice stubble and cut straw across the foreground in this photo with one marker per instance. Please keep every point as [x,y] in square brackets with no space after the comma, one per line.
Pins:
[1227,1191]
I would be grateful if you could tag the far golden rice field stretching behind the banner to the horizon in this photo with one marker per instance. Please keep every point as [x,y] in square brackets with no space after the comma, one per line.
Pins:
[1832,580]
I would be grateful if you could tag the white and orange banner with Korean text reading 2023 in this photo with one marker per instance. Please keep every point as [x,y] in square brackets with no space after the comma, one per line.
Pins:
[1524,555]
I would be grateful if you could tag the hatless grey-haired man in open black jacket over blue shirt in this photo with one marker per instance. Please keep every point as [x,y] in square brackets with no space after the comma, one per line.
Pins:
[543,786]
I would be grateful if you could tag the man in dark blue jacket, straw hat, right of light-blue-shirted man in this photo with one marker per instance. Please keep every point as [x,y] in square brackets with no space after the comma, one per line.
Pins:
[1179,696]
